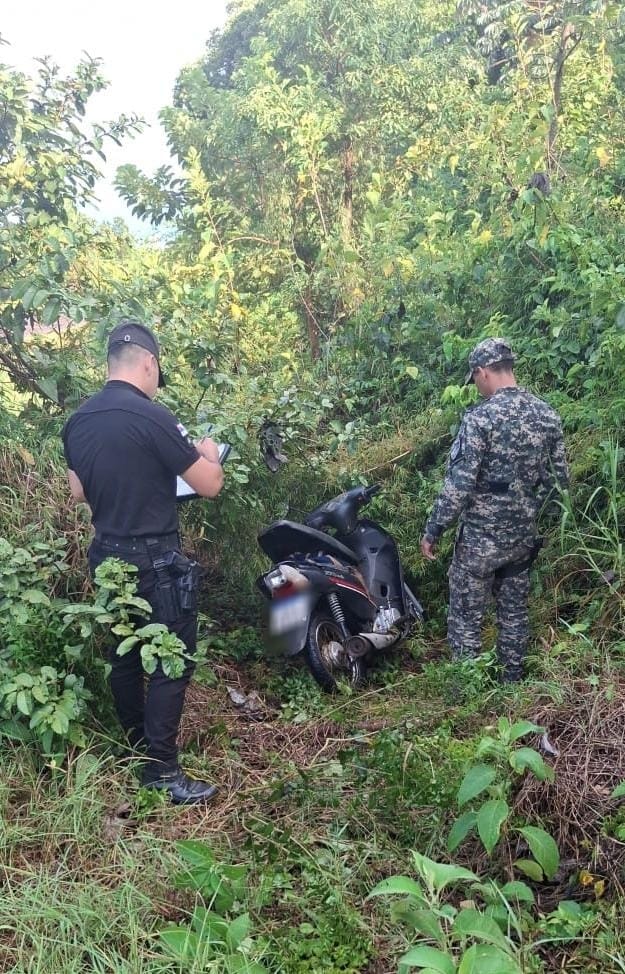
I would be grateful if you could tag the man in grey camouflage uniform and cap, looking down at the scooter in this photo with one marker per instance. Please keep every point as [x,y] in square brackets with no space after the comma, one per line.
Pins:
[506,459]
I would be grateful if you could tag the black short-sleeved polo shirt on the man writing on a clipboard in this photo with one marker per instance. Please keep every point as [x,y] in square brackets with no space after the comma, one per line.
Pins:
[127,452]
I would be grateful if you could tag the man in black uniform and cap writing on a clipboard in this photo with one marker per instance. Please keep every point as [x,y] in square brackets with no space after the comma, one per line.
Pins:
[123,453]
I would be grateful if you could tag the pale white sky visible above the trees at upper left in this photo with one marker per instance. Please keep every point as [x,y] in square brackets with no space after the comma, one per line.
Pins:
[143,44]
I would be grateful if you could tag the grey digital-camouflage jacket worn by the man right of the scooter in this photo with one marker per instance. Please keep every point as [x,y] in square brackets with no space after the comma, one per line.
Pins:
[506,459]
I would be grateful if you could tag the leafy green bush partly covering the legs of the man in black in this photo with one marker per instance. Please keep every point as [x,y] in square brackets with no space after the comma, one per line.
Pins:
[49,658]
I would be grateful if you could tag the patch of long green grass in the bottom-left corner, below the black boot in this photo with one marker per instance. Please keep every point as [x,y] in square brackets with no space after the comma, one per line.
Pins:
[80,891]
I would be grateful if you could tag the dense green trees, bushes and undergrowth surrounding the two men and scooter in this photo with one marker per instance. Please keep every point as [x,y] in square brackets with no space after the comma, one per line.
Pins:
[363,191]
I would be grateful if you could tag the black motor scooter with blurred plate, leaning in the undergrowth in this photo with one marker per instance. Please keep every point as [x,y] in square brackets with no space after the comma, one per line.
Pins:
[338,598]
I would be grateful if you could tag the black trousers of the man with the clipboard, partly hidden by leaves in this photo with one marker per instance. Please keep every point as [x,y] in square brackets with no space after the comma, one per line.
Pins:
[149,714]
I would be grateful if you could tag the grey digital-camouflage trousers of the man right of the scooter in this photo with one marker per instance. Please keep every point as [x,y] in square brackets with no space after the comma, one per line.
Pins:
[480,571]
